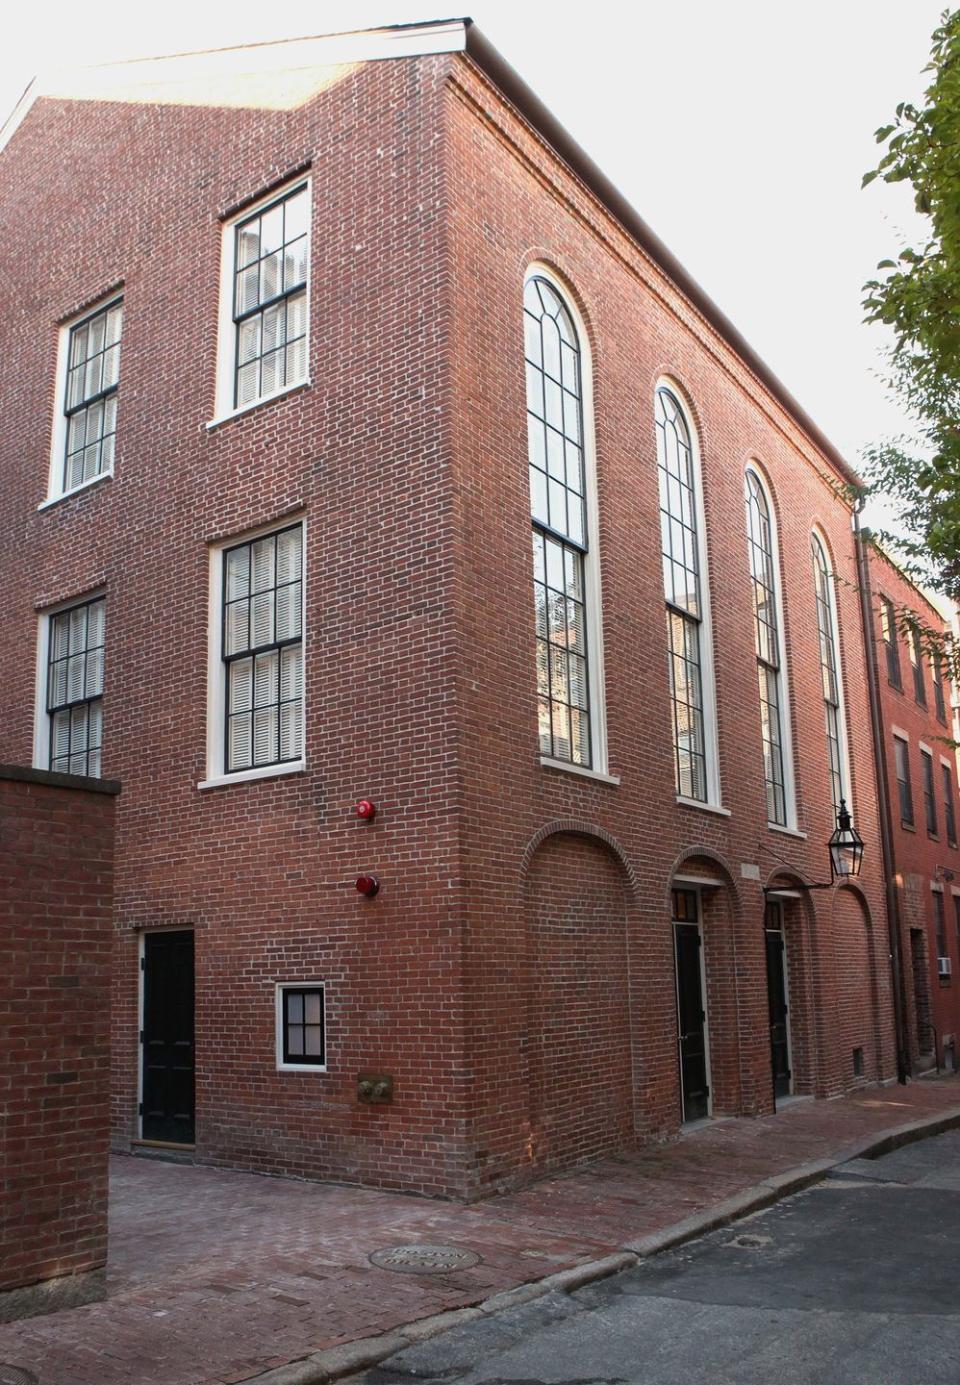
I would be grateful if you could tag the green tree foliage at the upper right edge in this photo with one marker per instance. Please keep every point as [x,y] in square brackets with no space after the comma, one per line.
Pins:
[919,300]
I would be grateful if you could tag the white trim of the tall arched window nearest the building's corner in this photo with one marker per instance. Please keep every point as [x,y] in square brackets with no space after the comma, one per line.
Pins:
[594,605]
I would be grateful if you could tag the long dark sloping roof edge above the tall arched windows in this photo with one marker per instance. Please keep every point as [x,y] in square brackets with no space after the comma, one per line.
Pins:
[530,106]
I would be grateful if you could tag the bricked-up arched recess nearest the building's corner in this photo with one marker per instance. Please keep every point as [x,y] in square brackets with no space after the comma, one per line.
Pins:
[577,895]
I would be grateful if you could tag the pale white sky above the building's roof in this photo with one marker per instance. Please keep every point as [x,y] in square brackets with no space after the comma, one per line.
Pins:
[739,129]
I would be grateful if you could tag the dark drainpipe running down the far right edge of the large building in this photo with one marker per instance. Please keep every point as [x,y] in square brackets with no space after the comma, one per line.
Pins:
[883,796]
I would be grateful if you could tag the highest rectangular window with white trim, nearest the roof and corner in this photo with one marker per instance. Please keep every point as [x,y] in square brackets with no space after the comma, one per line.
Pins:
[265,301]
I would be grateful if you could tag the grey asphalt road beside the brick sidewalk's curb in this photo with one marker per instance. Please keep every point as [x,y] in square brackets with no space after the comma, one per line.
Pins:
[855,1282]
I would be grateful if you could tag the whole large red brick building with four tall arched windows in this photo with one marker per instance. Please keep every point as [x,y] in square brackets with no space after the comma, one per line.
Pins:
[299,534]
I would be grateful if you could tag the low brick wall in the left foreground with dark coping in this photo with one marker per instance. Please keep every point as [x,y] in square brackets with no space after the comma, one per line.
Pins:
[56,942]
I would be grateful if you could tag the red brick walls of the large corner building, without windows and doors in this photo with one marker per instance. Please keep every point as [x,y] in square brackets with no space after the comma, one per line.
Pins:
[516,973]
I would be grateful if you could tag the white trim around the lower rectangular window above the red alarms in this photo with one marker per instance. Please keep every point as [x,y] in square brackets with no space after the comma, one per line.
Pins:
[217,679]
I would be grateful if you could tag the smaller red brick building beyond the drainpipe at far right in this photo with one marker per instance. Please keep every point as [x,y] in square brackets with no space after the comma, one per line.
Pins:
[922,767]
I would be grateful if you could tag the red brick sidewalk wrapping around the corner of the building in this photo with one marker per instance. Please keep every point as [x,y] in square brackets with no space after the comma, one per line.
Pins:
[218,1276]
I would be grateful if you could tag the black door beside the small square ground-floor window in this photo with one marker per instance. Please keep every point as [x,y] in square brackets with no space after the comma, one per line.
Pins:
[168,1038]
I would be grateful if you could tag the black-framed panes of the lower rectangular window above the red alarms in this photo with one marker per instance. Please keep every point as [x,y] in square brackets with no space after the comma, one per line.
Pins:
[263,641]
